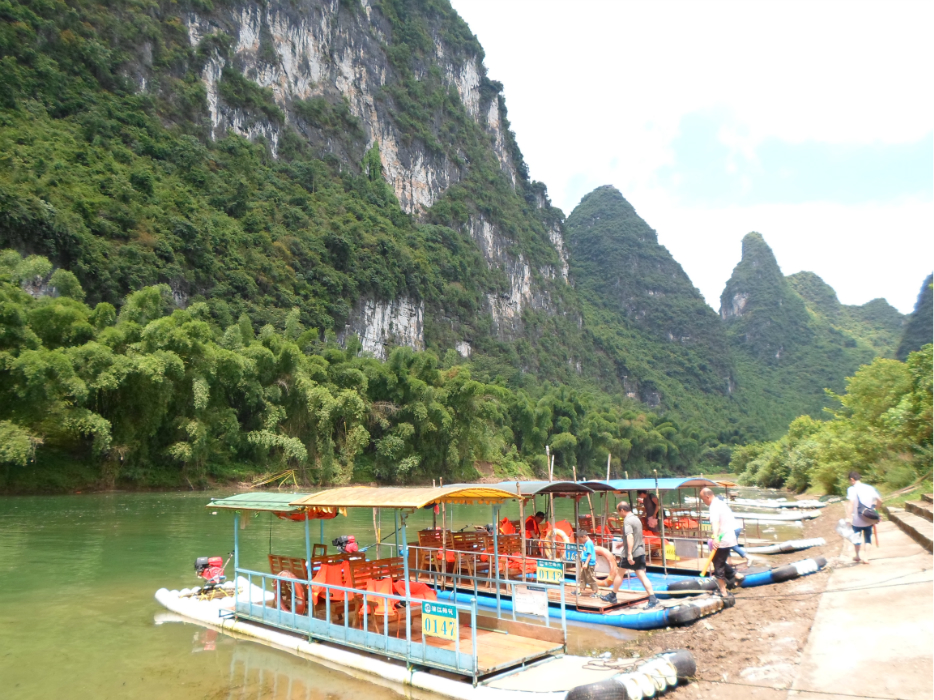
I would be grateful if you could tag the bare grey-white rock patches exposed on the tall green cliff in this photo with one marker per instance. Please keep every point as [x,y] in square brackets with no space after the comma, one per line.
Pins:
[318,50]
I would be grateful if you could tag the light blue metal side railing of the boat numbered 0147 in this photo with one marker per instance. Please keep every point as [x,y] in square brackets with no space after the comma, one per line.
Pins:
[445,622]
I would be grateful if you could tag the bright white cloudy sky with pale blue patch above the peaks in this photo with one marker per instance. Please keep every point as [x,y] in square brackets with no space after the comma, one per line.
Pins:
[809,122]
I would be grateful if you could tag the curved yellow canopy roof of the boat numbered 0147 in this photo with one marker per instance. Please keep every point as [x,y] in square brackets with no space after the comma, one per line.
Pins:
[418,497]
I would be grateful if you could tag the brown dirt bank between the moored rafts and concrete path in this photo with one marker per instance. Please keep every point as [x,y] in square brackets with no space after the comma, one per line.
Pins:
[759,642]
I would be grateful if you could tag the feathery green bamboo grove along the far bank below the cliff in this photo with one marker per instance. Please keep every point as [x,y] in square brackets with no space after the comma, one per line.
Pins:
[159,395]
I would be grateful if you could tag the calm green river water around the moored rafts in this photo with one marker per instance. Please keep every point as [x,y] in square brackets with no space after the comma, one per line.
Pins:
[78,619]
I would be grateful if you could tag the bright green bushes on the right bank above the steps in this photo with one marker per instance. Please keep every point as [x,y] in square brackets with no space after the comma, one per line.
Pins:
[881,428]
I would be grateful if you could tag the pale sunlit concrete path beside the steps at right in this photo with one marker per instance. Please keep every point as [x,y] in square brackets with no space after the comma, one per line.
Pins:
[877,642]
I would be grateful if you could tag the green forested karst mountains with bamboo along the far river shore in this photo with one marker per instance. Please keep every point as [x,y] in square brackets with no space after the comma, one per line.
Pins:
[241,237]
